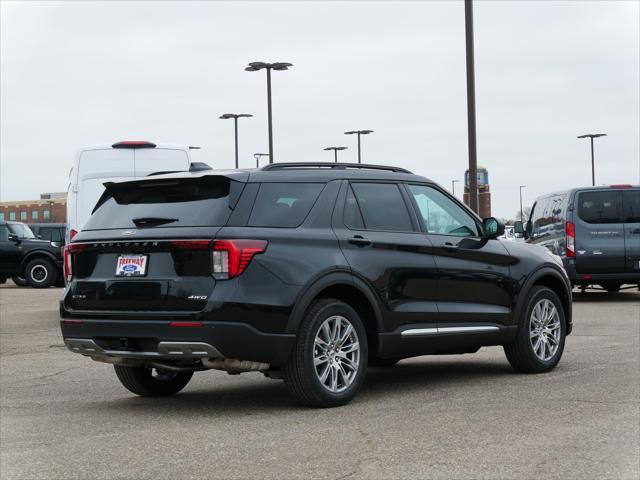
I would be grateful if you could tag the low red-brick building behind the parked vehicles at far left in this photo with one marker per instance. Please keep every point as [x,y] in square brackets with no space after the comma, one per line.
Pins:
[52,207]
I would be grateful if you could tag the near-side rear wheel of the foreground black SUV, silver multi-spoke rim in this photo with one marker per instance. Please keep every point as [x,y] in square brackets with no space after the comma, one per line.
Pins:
[303,378]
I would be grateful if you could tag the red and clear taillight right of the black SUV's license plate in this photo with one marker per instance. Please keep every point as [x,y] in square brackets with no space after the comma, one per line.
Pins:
[231,257]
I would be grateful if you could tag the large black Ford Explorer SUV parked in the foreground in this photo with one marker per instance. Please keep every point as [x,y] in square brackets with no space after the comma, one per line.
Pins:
[306,272]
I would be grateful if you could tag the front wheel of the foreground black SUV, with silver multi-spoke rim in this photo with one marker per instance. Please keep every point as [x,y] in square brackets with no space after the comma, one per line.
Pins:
[520,352]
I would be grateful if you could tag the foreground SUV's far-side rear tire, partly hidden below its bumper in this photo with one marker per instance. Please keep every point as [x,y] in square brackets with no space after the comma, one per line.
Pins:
[151,382]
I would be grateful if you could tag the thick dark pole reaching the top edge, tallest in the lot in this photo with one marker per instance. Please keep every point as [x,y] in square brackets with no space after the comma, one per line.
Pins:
[471,107]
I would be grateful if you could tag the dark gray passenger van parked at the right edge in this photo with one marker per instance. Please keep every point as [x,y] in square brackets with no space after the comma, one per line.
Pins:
[595,230]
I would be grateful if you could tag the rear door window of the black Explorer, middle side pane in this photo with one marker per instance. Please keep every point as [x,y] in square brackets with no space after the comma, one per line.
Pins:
[382,207]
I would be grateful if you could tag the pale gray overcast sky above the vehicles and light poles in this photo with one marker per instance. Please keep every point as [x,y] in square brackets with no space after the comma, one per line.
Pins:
[77,74]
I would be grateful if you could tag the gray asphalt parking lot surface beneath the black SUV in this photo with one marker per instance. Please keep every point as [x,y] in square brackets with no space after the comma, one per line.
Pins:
[463,416]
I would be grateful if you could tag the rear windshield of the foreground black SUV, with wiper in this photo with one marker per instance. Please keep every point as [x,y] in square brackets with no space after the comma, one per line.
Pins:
[204,201]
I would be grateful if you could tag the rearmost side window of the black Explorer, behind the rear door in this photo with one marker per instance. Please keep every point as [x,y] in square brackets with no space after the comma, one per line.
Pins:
[284,204]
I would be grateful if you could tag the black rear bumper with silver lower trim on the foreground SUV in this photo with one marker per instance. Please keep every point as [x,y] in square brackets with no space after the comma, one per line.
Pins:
[151,339]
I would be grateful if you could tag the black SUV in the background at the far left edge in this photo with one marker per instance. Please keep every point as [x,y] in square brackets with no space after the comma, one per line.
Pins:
[27,259]
